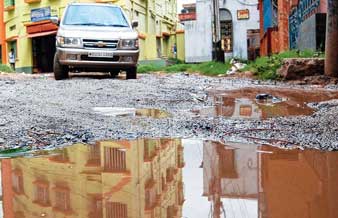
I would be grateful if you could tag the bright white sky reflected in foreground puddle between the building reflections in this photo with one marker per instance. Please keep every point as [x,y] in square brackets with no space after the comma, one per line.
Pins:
[197,205]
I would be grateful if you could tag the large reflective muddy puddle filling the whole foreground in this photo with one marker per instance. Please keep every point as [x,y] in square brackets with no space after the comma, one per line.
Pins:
[166,178]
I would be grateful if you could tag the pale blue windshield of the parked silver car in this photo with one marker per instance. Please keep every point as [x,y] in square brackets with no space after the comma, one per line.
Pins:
[91,15]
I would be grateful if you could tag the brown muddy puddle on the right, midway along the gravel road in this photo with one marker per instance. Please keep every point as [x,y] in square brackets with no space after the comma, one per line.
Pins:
[264,103]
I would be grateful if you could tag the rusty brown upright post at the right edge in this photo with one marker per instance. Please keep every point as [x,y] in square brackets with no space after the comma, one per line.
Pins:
[331,50]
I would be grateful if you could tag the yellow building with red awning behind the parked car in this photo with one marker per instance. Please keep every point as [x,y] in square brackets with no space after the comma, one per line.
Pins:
[34,42]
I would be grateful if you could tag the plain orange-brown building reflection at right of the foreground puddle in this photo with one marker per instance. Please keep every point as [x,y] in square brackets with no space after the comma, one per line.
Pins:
[298,184]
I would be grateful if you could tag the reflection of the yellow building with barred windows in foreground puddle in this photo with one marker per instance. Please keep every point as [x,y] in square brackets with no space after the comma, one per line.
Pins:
[112,179]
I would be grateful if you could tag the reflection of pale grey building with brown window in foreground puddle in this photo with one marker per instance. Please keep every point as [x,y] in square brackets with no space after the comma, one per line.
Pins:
[229,171]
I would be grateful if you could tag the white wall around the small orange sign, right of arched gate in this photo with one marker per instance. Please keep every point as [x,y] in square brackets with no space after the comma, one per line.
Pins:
[240,27]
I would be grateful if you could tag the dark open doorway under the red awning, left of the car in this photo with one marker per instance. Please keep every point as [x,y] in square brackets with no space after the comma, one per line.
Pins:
[43,53]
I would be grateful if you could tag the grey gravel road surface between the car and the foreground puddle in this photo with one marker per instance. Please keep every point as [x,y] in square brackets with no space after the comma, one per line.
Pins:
[39,112]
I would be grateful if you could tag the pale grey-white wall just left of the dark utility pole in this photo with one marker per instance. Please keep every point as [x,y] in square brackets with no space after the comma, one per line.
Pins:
[198,34]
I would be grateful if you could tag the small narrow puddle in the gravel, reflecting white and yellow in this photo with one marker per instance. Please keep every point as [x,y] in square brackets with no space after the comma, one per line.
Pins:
[131,112]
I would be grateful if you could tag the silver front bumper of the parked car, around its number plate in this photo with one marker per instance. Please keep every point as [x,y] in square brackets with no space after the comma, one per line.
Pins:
[80,58]
